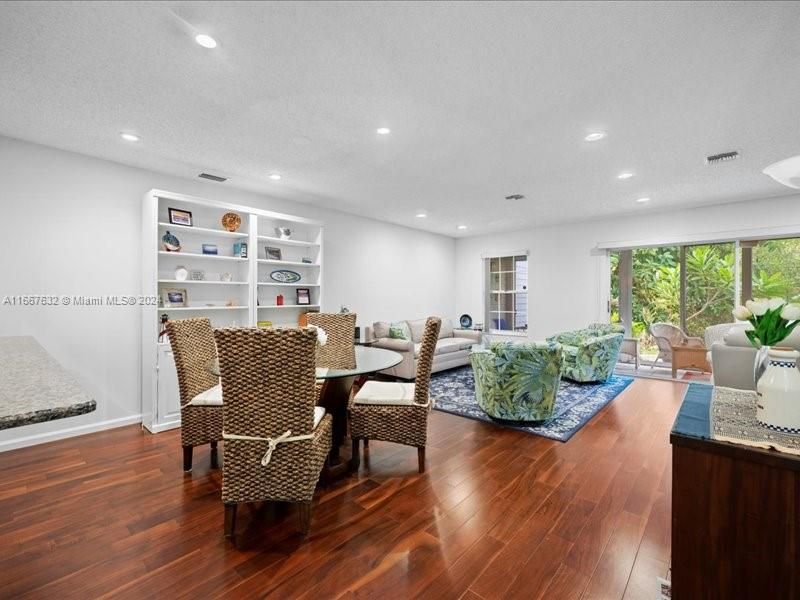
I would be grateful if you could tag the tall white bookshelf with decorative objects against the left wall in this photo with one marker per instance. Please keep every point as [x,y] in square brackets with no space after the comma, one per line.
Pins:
[229,289]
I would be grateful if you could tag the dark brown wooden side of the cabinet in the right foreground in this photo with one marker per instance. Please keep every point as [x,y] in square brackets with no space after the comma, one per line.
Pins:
[735,522]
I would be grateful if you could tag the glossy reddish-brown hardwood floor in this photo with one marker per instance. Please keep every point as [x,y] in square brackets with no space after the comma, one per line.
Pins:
[498,514]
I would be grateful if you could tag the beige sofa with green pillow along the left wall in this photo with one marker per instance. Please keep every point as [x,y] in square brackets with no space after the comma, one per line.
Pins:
[452,349]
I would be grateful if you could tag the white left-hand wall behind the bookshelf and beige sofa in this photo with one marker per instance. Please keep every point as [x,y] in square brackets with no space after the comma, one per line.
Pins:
[71,225]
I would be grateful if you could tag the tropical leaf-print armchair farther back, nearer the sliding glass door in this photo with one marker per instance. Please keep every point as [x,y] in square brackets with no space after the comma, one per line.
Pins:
[590,354]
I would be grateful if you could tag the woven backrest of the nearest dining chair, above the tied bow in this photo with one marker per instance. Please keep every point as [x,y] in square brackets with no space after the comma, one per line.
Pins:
[268,380]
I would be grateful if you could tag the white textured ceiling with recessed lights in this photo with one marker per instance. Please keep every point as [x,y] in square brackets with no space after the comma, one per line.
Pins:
[484,100]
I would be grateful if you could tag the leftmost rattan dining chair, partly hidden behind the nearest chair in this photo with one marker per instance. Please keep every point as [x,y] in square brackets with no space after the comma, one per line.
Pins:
[193,347]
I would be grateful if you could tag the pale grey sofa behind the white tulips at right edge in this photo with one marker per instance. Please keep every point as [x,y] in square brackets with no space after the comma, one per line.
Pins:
[733,359]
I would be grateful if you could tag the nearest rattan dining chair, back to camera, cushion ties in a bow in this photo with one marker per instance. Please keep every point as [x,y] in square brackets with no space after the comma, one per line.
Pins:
[276,440]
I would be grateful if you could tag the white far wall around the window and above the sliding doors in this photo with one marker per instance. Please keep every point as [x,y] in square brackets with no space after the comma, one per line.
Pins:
[568,278]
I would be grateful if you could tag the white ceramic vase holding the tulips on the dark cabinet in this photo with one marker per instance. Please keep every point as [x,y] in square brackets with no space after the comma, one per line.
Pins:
[778,404]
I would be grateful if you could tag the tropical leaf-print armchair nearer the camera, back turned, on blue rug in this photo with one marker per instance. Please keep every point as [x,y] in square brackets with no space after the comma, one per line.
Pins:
[517,382]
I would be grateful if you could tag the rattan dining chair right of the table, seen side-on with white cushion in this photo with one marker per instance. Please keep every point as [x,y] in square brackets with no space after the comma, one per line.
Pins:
[394,411]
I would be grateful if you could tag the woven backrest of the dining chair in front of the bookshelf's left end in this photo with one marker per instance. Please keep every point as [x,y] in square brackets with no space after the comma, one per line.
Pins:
[193,347]
